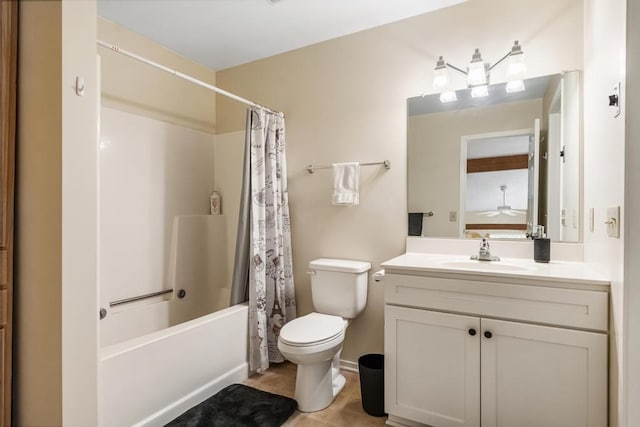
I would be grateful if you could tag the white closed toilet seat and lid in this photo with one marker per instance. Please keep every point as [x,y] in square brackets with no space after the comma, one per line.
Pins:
[312,330]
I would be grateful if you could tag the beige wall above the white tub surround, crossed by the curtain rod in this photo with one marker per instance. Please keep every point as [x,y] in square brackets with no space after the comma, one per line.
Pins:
[135,87]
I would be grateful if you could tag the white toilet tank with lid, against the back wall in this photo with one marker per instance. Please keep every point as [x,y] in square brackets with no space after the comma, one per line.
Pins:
[339,286]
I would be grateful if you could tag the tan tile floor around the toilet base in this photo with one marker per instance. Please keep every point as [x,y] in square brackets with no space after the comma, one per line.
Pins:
[345,411]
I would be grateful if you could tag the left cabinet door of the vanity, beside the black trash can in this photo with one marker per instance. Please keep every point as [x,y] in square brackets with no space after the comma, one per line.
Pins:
[432,367]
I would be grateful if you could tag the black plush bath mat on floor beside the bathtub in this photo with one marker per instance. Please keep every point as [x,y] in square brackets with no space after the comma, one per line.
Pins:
[238,405]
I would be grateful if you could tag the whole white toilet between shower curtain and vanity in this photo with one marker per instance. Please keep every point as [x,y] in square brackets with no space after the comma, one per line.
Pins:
[314,342]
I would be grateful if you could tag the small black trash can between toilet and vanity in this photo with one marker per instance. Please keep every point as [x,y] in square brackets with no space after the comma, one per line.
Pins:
[371,367]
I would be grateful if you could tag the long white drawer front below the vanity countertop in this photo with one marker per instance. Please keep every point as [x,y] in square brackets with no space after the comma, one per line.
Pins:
[540,304]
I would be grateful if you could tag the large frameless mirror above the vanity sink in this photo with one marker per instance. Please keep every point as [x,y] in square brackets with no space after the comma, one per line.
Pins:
[498,165]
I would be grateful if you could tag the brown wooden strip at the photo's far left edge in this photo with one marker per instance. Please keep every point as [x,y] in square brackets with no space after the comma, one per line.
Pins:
[8,61]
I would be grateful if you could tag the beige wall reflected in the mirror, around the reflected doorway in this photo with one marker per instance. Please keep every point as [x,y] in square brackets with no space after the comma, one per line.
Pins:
[433,163]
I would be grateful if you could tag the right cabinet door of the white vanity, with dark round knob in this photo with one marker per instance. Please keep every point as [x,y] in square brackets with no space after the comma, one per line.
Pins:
[536,376]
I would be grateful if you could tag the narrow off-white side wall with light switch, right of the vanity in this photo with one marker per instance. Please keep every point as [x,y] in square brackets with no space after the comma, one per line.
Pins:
[604,160]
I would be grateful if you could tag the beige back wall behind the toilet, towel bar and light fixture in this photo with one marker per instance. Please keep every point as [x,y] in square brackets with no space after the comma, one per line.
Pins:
[345,100]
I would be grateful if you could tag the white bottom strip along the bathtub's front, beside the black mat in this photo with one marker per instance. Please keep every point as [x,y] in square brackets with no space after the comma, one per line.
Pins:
[173,410]
